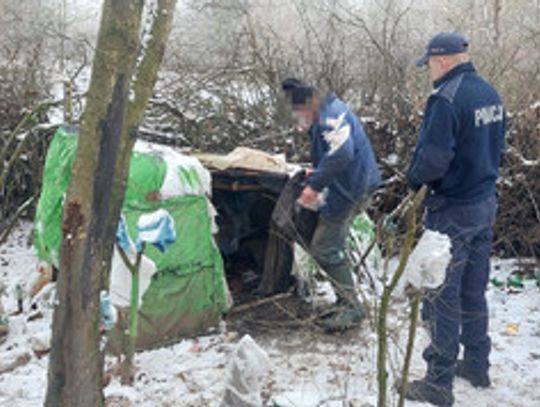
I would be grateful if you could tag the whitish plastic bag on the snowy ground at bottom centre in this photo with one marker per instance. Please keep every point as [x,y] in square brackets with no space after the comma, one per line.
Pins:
[248,367]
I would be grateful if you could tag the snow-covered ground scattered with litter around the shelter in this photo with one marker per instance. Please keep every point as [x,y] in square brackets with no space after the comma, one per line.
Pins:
[307,368]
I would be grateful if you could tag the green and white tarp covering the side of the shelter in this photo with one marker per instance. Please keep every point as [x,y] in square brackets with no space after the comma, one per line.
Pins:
[187,294]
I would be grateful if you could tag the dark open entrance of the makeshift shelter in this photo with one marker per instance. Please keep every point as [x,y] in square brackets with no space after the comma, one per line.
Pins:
[256,260]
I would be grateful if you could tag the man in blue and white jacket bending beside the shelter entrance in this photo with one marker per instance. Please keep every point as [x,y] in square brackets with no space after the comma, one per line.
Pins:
[344,176]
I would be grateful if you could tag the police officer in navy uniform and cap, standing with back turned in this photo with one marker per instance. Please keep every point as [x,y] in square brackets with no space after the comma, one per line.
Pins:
[457,156]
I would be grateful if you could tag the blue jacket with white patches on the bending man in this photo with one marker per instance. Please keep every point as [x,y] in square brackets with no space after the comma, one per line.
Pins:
[342,158]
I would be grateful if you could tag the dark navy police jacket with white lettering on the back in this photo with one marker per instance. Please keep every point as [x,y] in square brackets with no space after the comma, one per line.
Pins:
[461,141]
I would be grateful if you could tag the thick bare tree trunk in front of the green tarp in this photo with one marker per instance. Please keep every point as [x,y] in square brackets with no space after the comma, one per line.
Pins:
[123,76]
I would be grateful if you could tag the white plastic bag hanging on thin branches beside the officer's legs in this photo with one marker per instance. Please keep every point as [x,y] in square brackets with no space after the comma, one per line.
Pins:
[428,262]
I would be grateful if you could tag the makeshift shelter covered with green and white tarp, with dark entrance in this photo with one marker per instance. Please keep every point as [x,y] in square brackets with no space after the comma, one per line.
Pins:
[227,226]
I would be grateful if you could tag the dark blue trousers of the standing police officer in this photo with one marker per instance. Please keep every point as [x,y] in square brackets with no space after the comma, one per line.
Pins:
[457,312]
